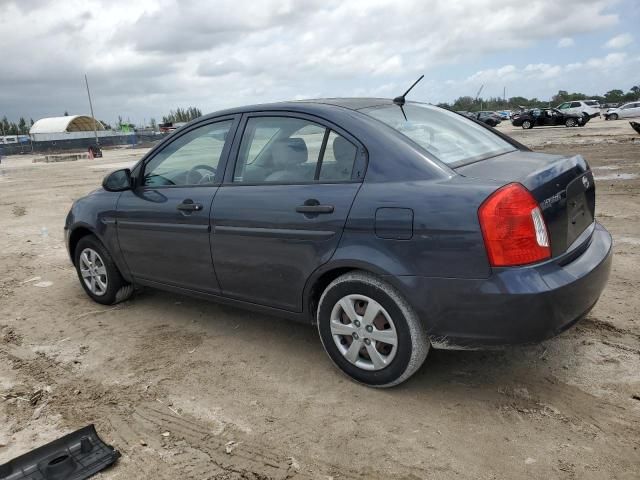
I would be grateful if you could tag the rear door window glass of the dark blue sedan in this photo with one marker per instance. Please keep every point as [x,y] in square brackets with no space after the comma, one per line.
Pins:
[292,150]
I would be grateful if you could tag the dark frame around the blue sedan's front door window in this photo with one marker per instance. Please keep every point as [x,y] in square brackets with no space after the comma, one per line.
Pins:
[224,156]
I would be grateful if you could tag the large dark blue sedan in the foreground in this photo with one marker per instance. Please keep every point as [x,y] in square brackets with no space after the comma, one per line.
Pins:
[393,230]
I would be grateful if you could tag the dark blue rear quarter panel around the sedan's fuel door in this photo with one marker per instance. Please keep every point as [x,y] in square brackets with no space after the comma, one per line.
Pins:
[446,240]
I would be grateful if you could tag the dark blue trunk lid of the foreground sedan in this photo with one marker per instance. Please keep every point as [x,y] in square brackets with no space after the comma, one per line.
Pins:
[563,186]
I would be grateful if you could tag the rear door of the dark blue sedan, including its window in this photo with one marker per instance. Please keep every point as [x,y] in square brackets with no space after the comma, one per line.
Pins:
[280,213]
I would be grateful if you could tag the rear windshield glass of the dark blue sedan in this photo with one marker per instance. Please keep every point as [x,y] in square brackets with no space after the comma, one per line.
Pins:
[449,137]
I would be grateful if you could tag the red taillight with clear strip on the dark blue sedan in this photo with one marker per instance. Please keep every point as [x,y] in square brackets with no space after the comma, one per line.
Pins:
[513,227]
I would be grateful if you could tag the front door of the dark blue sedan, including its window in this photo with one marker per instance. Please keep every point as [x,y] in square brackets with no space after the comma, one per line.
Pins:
[163,222]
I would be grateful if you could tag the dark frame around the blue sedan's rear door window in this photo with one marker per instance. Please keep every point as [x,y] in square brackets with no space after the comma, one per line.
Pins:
[359,166]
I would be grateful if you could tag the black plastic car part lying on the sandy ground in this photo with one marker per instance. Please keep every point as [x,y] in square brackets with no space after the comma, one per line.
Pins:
[75,456]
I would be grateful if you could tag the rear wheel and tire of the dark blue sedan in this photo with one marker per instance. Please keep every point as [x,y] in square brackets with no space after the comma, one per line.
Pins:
[393,364]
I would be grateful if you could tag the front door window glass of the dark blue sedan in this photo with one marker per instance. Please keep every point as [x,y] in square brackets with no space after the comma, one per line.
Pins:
[191,159]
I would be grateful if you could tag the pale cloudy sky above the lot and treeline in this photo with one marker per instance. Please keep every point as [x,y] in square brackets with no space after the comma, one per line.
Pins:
[145,57]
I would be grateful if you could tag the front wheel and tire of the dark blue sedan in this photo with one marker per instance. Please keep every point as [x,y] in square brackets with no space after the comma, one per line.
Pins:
[92,259]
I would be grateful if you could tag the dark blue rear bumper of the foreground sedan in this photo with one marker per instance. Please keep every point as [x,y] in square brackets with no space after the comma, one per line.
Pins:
[515,305]
